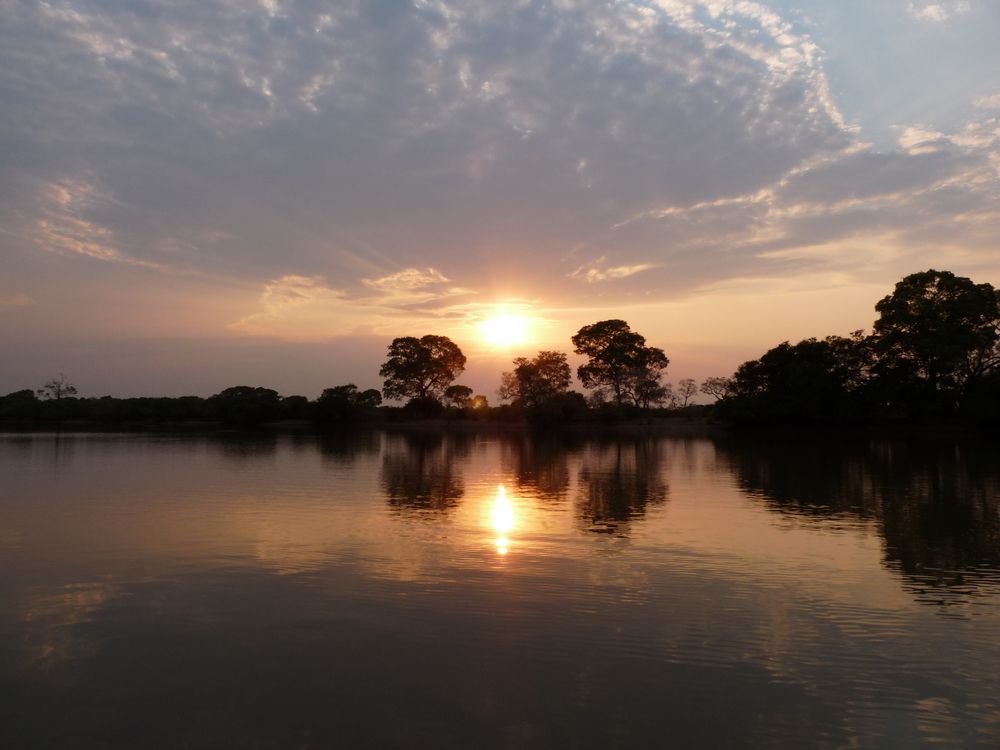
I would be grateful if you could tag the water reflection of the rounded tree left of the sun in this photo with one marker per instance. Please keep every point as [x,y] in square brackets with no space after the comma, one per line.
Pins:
[421,471]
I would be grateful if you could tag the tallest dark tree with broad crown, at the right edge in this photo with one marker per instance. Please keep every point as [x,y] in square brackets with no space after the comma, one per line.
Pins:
[936,335]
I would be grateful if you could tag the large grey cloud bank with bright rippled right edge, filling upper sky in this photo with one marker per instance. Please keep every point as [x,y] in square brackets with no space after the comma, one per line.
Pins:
[340,142]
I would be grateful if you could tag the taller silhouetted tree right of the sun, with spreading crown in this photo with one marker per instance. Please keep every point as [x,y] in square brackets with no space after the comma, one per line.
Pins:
[619,359]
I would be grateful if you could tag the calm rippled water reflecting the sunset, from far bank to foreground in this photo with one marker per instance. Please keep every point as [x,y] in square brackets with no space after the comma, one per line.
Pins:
[476,592]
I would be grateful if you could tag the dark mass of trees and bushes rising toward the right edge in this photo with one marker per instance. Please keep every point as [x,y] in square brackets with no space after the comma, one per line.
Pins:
[933,354]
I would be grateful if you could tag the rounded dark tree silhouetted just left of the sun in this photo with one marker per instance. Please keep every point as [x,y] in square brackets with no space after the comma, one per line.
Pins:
[421,368]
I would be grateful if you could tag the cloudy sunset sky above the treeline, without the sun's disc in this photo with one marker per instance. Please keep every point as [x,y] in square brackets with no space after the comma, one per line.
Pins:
[195,195]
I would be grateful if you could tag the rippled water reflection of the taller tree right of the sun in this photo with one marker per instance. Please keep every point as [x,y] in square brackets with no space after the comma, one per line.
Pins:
[617,483]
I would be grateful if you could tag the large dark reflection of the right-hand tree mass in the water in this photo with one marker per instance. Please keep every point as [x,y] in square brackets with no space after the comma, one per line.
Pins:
[935,503]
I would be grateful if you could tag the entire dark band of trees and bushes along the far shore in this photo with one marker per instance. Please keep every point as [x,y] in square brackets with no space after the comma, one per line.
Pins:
[934,353]
